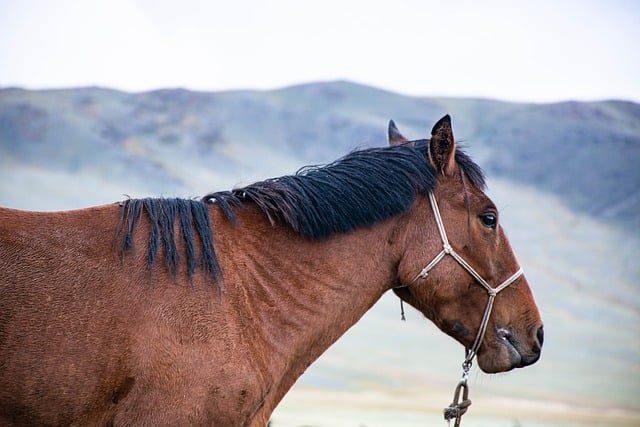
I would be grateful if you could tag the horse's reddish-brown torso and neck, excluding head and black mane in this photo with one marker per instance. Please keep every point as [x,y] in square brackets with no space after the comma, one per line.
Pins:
[108,341]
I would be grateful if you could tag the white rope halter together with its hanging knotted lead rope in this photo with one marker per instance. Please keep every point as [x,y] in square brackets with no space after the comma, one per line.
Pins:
[458,407]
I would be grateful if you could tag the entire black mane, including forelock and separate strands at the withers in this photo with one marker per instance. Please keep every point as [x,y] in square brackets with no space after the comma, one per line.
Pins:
[358,190]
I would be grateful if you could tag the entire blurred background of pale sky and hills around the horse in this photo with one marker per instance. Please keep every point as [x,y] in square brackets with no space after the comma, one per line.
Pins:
[99,100]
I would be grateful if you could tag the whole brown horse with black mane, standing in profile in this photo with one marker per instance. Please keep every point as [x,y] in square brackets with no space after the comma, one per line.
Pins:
[184,312]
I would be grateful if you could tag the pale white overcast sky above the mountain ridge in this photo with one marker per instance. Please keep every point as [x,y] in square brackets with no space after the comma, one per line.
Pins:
[514,50]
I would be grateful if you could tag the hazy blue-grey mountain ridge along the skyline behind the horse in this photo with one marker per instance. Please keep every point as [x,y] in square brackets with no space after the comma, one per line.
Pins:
[588,153]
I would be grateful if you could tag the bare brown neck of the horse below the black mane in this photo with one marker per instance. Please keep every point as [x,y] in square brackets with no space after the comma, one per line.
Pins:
[300,295]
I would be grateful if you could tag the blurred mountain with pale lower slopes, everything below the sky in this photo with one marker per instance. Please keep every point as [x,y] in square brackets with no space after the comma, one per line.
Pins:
[565,175]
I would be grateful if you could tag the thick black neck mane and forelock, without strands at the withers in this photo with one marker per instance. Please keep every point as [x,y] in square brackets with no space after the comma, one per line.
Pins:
[358,190]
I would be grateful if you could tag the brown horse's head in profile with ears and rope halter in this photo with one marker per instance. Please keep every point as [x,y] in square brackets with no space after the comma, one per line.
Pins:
[466,280]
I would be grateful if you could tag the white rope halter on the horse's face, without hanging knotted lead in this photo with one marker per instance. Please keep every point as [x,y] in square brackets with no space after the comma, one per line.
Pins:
[448,250]
